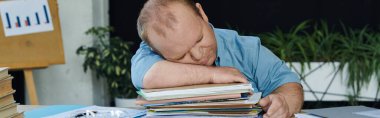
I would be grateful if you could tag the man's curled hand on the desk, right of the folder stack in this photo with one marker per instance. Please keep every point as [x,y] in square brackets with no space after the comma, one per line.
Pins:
[275,106]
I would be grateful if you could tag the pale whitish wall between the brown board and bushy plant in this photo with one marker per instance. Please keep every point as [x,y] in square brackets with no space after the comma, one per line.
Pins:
[67,83]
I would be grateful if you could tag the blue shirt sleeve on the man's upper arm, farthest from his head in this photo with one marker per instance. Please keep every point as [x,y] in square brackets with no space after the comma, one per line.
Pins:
[272,72]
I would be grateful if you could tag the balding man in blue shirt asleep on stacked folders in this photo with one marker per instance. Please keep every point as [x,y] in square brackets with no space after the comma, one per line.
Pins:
[180,47]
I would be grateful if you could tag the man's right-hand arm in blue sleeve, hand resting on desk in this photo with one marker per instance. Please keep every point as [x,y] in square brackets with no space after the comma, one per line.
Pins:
[281,87]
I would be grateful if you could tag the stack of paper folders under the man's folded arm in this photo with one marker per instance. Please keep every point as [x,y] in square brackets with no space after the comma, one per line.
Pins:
[201,100]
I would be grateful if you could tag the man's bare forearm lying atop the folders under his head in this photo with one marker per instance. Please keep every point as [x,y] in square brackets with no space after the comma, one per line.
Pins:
[169,74]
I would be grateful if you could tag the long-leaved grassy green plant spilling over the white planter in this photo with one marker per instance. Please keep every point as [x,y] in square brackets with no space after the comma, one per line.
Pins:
[354,52]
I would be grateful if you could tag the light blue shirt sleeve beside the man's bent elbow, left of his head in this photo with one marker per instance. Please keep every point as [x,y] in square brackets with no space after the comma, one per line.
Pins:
[142,61]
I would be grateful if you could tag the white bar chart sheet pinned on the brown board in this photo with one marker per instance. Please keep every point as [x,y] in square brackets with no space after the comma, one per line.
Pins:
[21,17]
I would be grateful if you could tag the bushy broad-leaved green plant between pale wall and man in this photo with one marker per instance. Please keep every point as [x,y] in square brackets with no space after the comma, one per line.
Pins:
[110,58]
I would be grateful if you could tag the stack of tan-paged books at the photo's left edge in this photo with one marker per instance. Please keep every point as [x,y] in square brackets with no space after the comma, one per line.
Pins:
[8,106]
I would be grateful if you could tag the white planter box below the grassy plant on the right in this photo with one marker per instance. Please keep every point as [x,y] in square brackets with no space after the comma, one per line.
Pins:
[318,81]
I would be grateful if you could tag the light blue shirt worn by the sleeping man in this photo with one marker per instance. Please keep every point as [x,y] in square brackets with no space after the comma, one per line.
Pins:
[261,67]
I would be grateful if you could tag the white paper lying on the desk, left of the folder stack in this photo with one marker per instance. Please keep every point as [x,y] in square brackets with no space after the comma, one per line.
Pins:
[101,112]
